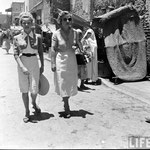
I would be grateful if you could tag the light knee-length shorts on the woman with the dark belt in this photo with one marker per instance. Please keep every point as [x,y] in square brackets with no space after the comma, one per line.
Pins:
[29,82]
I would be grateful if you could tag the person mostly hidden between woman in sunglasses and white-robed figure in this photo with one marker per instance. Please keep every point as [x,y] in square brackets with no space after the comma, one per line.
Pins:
[82,70]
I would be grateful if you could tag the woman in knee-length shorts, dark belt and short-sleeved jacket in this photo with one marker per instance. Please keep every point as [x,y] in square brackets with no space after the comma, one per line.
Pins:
[27,45]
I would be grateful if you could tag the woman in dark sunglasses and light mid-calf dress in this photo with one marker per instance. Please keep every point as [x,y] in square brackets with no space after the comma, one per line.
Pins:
[63,60]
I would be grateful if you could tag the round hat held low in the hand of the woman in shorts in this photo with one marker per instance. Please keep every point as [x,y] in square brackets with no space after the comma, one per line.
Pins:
[43,85]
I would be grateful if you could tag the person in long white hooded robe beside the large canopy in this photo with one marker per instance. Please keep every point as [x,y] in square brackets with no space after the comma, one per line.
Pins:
[90,46]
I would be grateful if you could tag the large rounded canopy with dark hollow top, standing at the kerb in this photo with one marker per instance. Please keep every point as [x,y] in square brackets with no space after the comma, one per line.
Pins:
[124,42]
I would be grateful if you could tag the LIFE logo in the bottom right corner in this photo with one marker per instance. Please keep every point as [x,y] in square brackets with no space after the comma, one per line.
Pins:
[138,142]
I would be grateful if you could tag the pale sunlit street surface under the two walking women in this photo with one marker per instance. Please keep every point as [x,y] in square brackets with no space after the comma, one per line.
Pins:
[101,117]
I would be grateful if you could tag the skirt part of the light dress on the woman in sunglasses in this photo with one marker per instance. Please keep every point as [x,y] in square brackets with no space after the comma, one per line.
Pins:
[66,75]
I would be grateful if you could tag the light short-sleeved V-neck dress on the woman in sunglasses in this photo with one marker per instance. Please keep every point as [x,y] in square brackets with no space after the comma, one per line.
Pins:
[66,74]
